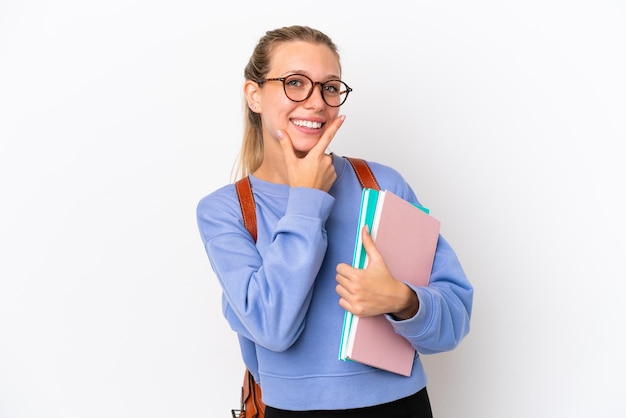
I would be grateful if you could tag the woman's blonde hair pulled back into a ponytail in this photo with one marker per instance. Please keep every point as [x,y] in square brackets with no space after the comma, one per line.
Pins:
[251,153]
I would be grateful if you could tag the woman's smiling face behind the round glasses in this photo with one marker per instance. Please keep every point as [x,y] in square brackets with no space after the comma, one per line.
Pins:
[304,121]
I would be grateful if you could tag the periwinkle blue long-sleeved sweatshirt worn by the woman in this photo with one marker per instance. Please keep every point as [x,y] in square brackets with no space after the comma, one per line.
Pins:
[279,295]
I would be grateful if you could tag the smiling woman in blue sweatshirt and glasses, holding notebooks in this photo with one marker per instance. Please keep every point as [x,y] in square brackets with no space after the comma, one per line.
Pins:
[285,295]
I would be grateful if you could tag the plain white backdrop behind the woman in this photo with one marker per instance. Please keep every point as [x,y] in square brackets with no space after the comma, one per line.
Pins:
[116,117]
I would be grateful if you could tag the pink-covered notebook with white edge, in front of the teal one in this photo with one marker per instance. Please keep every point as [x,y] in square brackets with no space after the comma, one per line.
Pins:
[406,237]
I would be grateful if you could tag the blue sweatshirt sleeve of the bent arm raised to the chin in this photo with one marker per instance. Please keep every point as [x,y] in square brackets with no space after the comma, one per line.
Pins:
[266,296]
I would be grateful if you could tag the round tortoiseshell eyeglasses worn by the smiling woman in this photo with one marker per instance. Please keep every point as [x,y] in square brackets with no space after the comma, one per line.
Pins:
[299,87]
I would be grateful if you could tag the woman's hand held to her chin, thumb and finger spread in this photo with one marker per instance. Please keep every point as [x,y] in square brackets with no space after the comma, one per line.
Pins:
[315,169]
